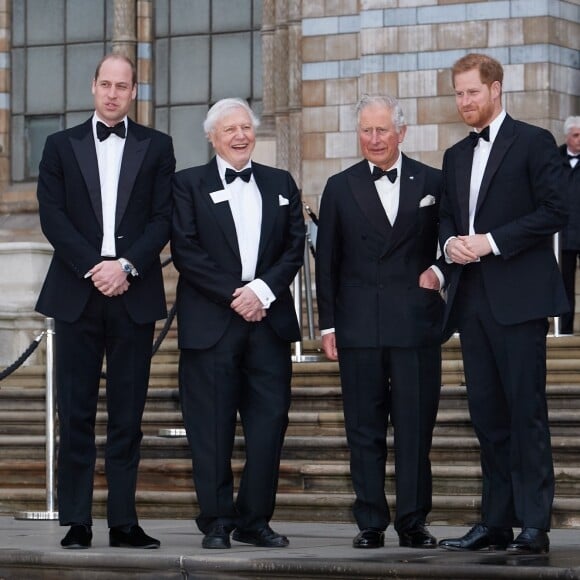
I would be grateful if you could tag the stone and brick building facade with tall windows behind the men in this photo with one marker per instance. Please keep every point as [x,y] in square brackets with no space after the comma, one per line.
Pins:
[301,63]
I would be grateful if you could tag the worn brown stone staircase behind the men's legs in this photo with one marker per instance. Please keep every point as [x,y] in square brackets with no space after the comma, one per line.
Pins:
[314,483]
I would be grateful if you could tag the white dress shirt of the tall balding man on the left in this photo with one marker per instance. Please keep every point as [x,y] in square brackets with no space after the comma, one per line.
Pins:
[109,157]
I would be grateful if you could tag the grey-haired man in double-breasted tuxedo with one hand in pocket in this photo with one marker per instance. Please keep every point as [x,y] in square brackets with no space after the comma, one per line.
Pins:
[380,314]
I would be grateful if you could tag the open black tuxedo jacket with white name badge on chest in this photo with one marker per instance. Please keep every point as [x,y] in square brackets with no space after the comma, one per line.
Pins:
[205,252]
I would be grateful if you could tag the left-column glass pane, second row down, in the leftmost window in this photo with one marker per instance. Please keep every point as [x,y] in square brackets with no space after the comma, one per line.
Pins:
[45,80]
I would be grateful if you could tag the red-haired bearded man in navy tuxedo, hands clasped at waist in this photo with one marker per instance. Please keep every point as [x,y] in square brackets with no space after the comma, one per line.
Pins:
[503,199]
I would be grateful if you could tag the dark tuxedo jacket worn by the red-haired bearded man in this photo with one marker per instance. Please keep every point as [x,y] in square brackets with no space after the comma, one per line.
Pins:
[522,203]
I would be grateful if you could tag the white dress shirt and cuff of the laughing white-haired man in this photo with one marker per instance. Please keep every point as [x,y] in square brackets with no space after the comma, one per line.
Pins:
[246,206]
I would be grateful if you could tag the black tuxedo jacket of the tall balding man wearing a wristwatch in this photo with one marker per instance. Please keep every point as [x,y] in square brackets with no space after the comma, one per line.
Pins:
[69,197]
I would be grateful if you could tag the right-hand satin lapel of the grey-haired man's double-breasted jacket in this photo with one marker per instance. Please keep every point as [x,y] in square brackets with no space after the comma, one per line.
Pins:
[410,190]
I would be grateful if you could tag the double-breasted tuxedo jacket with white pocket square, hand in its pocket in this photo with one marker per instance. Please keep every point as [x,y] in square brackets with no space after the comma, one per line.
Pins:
[367,272]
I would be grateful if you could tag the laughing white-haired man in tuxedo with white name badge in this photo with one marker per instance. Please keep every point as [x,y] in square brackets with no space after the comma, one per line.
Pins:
[237,242]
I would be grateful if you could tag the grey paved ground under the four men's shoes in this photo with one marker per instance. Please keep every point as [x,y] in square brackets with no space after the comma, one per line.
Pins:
[31,550]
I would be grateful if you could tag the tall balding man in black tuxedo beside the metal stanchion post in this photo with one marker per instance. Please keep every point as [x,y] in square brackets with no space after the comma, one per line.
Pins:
[104,194]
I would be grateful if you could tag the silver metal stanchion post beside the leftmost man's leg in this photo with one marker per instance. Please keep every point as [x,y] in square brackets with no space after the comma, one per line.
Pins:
[50,513]
